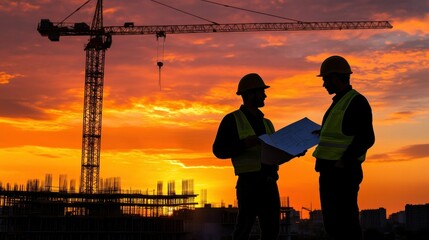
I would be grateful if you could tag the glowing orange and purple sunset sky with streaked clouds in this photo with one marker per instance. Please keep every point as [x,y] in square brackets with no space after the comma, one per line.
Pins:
[153,134]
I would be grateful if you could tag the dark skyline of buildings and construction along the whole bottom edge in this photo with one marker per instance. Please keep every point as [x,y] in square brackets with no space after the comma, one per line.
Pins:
[39,213]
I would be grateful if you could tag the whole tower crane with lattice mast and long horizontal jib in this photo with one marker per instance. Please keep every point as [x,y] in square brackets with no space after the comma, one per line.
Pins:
[100,39]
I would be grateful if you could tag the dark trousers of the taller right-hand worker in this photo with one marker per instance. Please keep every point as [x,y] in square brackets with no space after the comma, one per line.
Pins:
[339,189]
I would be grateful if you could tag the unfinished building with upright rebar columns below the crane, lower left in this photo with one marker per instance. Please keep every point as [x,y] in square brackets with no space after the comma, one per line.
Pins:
[39,213]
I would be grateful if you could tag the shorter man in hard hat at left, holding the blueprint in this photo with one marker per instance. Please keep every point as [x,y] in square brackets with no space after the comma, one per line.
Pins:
[237,138]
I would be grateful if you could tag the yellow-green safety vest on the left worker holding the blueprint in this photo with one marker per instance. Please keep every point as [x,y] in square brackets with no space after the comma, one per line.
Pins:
[250,159]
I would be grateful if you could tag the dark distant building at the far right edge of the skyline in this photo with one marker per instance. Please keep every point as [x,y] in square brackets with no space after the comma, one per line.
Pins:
[417,217]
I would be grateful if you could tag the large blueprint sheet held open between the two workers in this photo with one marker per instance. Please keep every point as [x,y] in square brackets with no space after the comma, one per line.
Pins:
[294,138]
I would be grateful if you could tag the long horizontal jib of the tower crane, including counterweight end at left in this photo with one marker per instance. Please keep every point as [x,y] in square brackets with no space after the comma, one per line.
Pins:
[54,30]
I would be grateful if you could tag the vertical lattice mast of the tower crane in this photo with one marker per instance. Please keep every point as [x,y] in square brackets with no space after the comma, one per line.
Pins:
[93,101]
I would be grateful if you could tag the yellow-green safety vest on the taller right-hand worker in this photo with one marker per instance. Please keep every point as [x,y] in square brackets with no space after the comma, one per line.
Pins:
[333,143]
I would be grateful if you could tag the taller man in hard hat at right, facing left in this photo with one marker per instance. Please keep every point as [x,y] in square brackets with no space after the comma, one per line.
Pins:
[345,136]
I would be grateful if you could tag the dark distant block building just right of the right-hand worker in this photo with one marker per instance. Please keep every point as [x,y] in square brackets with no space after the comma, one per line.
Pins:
[373,219]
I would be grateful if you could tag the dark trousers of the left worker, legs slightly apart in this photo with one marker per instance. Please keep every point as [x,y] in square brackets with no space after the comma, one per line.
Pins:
[257,198]
